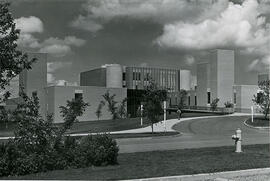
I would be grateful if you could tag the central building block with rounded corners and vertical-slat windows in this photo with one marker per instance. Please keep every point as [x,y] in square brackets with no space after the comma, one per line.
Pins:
[136,80]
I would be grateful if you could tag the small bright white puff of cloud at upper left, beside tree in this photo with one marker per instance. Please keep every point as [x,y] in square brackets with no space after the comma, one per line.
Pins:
[29,24]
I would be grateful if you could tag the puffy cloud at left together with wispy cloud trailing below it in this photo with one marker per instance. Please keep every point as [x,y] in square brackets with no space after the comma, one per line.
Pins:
[52,45]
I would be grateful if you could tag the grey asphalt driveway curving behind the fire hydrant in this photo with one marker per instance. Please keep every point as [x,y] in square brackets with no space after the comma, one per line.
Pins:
[203,132]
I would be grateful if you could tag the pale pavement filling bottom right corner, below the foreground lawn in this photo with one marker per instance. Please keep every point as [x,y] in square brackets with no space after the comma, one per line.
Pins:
[261,174]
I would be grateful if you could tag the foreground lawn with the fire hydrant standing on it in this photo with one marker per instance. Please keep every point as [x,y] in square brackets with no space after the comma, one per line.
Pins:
[167,163]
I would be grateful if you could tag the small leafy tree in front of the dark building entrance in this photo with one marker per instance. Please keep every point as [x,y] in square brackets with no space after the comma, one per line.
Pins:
[153,99]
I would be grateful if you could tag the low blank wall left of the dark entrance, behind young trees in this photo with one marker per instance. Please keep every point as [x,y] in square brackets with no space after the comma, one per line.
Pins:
[58,95]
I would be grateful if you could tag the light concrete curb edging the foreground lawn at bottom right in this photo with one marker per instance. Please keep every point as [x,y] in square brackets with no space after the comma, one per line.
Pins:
[213,175]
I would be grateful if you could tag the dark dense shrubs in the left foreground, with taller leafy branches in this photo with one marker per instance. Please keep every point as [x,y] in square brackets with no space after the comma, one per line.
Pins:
[39,146]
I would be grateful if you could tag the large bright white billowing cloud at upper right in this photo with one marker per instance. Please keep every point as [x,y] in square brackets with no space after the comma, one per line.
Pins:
[238,26]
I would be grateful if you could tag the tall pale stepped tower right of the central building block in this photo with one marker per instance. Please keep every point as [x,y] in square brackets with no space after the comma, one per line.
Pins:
[215,77]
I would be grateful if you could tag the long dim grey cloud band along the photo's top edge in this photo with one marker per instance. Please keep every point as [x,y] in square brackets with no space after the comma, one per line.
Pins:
[99,12]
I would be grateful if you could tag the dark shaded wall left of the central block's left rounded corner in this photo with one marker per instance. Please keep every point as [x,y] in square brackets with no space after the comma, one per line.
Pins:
[96,77]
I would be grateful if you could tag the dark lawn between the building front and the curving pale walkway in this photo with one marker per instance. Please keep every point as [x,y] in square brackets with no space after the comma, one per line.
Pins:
[106,125]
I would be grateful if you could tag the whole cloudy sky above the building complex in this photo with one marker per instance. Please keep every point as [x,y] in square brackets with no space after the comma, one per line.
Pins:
[80,35]
